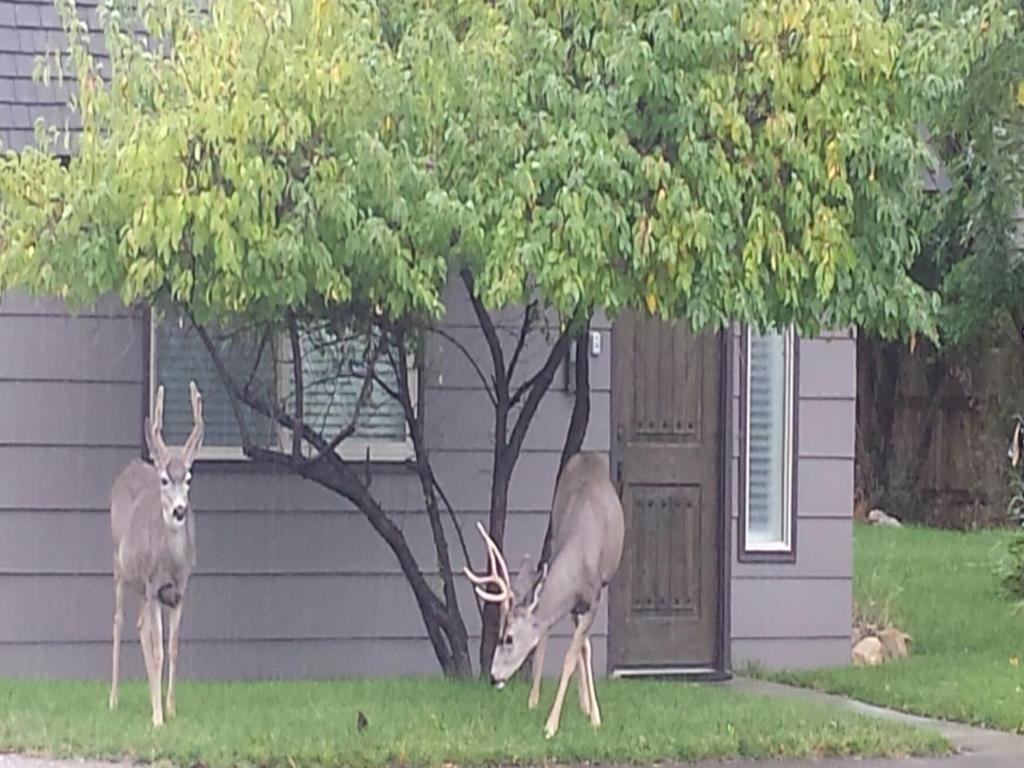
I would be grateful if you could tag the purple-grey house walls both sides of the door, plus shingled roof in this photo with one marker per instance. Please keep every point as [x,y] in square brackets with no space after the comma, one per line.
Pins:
[291,581]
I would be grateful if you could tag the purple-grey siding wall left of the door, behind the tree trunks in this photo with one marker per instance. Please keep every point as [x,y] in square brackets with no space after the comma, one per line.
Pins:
[291,580]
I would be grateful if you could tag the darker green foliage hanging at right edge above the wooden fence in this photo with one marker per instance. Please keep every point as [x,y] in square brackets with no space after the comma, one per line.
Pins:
[972,234]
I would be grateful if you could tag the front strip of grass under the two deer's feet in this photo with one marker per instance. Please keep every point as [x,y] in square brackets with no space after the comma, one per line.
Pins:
[432,723]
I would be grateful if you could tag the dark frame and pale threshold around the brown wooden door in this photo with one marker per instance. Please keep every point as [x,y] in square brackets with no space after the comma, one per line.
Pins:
[722,668]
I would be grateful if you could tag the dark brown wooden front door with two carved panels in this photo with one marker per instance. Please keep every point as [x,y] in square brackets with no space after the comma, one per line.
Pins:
[664,602]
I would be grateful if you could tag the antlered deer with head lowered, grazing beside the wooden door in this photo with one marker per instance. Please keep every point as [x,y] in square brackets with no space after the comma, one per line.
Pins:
[587,547]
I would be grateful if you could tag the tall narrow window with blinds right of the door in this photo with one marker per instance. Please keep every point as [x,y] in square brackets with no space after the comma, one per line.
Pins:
[769,447]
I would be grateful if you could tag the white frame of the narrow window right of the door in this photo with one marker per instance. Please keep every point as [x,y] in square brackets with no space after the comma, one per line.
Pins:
[786,546]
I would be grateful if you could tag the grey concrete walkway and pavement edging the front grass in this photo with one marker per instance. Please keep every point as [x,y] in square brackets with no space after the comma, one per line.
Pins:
[976,748]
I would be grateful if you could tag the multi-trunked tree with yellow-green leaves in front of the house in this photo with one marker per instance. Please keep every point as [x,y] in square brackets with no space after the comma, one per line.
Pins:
[303,167]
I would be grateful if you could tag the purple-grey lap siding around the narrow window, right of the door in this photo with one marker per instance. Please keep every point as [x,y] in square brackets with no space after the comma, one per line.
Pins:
[798,615]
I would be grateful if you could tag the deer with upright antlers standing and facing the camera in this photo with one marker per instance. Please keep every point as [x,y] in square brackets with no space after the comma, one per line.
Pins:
[155,547]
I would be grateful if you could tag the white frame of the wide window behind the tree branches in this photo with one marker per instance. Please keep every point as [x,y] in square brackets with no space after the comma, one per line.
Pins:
[353,449]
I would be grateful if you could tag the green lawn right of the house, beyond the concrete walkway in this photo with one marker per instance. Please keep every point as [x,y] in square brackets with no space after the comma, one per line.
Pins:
[942,588]
